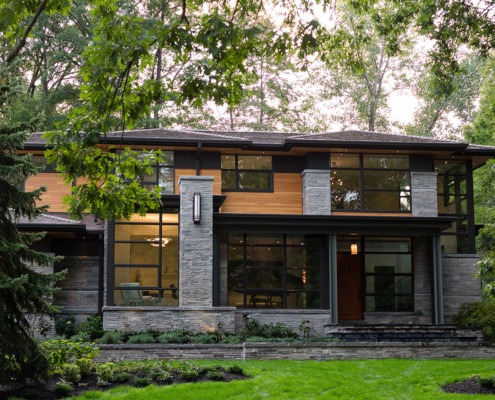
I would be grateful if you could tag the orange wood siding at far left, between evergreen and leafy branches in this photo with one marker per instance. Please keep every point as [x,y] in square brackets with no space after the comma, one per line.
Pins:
[56,189]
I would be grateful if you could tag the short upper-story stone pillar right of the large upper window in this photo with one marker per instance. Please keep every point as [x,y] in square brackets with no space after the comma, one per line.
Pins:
[424,194]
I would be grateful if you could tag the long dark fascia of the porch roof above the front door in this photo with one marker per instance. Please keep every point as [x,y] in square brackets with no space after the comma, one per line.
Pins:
[401,226]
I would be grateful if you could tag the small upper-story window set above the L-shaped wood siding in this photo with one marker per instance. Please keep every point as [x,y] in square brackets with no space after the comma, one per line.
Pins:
[247,173]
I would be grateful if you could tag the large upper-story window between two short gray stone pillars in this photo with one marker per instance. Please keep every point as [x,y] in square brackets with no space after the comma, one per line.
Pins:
[370,182]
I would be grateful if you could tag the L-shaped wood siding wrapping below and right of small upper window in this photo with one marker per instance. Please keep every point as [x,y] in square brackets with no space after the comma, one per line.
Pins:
[285,199]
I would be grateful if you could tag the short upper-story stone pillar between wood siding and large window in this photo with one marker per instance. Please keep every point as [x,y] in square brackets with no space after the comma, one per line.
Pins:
[316,192]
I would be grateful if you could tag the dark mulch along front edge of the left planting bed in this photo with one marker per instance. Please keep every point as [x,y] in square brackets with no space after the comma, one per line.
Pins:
[44,390]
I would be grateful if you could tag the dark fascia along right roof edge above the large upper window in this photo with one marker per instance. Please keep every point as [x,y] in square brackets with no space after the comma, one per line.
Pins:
[289,143]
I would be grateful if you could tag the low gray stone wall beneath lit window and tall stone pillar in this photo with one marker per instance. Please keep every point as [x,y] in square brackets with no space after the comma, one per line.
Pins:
[196,319]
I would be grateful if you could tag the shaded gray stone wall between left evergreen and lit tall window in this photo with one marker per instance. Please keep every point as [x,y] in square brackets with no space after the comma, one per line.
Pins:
[79,289]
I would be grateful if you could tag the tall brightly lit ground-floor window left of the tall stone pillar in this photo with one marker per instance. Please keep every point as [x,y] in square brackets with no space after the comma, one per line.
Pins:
[145,260]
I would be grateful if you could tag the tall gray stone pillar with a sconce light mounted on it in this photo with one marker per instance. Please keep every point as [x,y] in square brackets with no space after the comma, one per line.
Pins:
[196,243]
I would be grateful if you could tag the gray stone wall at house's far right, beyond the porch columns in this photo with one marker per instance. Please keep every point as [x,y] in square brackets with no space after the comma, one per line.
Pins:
[460,285]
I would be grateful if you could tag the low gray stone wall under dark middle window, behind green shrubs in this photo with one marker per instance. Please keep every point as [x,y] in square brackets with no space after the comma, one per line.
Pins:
[316,319]
